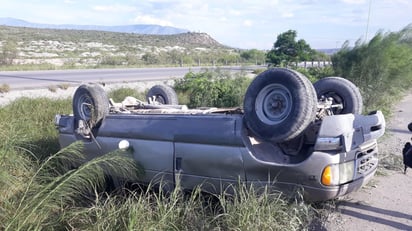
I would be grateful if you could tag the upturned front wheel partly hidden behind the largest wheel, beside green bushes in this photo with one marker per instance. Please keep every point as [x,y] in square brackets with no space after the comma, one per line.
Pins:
[345,95]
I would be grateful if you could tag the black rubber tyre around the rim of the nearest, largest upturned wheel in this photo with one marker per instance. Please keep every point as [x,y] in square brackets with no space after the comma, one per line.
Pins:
[303,111]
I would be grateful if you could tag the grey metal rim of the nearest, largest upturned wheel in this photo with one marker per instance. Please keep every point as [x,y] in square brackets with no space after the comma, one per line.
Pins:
[273,104]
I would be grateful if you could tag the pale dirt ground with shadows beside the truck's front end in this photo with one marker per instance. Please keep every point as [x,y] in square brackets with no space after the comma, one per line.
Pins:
[386,202]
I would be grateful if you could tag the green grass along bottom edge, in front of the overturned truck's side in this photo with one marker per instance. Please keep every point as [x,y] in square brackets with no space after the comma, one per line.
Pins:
[149,210]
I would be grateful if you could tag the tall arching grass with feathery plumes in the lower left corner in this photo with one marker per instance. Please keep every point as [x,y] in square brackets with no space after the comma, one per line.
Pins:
[55,187]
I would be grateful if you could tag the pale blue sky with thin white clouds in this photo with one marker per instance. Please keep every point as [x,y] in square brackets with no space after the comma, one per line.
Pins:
[244,24]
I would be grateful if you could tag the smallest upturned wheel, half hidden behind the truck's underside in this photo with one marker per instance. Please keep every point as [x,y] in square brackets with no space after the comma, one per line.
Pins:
[162,94]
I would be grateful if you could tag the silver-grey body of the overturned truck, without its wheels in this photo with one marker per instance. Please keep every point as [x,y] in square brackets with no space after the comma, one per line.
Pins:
[215,150]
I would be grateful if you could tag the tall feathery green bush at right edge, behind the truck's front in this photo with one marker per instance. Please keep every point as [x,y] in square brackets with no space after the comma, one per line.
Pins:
[380,68]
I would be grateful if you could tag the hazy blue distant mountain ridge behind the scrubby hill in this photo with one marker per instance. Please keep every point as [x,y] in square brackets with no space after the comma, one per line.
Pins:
[136,29]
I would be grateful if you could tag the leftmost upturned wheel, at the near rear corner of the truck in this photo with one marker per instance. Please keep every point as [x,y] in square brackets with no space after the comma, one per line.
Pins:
[90,104]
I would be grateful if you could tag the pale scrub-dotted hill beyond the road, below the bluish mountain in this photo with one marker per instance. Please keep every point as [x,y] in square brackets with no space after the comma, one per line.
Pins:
[90,48]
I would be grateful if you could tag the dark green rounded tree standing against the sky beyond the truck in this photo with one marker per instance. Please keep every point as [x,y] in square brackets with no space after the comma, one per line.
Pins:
[286,49]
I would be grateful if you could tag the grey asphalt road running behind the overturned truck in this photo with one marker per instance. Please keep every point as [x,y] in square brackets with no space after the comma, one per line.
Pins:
[18,80]
